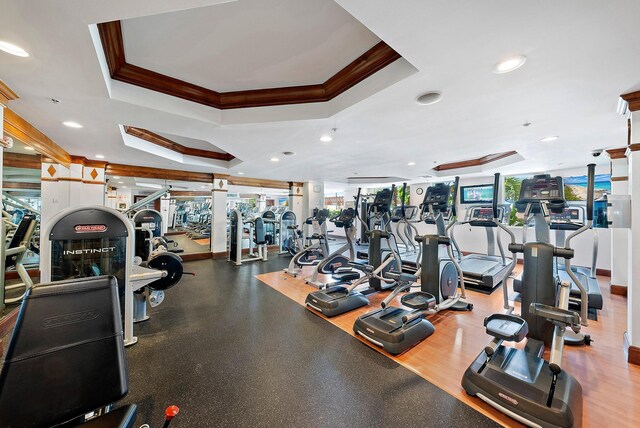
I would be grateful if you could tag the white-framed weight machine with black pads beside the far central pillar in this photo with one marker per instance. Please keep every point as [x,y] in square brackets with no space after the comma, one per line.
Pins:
[256,235]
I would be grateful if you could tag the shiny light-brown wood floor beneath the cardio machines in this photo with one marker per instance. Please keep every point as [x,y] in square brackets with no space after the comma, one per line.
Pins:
[611,387]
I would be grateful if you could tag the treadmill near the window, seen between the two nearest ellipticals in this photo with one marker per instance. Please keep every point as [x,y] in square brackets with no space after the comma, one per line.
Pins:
[484,271]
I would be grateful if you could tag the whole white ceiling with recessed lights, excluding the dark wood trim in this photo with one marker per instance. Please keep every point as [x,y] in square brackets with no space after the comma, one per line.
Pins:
[581,55]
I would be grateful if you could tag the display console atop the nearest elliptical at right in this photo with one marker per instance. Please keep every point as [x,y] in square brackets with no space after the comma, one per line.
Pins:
[541,188]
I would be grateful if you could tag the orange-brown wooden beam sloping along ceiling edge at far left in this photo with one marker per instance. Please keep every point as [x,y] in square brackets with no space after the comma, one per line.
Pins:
[20,129]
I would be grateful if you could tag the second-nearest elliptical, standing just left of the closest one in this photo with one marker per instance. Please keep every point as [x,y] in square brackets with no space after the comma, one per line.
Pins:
[397,329]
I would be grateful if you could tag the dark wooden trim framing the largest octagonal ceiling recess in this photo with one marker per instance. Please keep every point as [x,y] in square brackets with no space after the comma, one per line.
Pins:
[372,61]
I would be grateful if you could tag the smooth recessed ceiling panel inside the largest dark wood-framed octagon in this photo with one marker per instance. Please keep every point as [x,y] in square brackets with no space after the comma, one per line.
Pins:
[281,43]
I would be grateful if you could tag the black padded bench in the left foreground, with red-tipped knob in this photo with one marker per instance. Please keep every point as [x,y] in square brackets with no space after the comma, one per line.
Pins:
[57,369]
